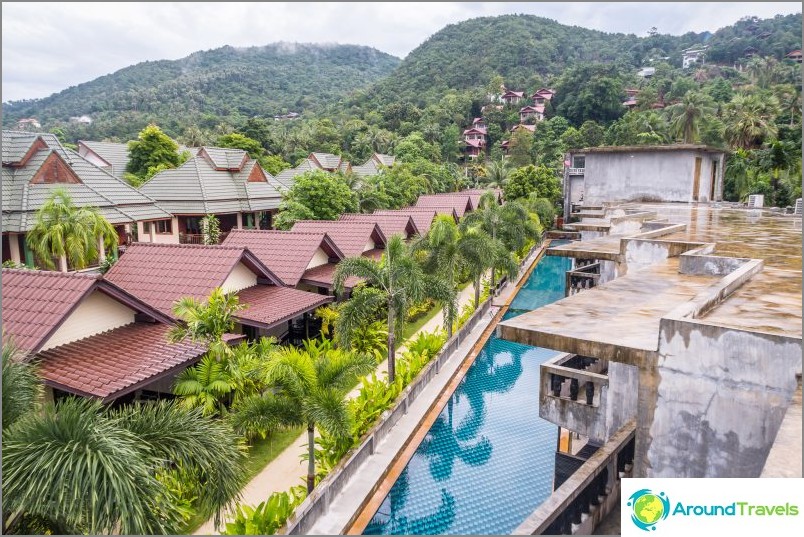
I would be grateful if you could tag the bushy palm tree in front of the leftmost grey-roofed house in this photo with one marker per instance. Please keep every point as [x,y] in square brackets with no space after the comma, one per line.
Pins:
[68,232]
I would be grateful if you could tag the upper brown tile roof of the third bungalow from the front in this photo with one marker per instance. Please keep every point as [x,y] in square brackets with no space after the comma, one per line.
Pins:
[286,253]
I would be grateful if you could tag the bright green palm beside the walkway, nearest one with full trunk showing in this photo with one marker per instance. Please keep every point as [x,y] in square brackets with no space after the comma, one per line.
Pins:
[311,389]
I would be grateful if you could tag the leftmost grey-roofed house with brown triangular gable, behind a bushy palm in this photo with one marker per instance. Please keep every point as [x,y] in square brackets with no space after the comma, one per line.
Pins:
[35,164]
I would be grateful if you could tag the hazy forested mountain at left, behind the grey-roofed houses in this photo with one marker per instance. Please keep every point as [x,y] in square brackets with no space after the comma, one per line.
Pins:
[209,86]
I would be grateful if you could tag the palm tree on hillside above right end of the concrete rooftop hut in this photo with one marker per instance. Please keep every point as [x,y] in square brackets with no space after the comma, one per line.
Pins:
[750,120]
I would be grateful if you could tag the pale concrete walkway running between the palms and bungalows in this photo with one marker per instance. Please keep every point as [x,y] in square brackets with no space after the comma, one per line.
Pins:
[288,469]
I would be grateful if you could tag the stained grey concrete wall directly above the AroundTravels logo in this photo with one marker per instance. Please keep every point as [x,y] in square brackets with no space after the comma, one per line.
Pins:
[715,400]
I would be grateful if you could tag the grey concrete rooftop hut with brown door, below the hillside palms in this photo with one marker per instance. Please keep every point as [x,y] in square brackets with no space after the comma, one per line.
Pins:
[660,175]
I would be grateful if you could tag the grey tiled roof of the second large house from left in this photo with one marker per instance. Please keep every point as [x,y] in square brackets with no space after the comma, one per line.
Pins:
[200,187]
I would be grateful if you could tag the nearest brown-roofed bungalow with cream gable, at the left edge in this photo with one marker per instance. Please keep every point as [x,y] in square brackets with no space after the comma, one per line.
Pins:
[91,338]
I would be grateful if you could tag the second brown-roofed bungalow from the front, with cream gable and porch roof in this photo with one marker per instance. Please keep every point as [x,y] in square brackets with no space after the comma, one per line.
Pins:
[161,274]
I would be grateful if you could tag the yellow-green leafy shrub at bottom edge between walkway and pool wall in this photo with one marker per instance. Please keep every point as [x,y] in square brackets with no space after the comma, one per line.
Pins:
[268,517]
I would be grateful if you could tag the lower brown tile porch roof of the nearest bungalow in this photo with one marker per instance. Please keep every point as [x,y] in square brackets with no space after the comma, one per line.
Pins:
[119,361]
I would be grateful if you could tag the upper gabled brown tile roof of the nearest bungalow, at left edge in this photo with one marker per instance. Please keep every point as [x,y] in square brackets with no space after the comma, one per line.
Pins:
[36,303]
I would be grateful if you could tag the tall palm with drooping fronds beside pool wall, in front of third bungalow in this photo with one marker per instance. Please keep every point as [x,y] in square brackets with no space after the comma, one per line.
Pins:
[396,282]
